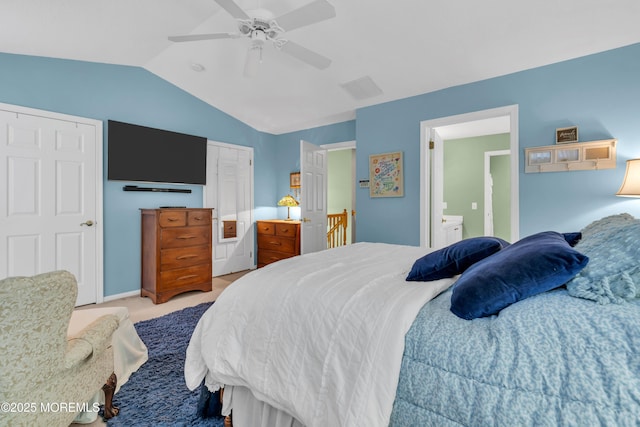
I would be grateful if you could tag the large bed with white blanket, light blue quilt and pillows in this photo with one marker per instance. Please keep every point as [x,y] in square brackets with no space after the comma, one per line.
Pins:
[544,331]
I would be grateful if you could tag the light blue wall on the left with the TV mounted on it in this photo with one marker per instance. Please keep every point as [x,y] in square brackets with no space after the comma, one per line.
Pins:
[134,95]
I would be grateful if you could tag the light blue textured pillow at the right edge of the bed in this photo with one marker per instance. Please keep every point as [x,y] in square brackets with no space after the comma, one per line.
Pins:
[613,274]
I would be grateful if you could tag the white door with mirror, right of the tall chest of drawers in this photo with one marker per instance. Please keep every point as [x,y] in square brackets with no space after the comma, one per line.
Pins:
[229,192]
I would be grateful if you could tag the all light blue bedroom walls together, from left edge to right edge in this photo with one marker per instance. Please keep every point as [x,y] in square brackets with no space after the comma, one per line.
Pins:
[599,93]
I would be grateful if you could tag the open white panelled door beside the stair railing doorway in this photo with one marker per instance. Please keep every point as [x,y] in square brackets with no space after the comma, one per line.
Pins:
[313,199]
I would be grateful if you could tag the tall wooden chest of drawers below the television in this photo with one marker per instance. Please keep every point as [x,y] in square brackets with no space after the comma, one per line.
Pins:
[176,252]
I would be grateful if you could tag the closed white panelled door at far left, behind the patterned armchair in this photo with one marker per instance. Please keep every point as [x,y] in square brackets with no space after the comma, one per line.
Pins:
[50,197]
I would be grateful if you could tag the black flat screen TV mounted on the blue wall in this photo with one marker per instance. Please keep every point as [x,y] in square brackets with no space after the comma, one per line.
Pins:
[139,153]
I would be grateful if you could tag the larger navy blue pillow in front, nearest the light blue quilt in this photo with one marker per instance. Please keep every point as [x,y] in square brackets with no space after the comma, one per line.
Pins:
[533,265]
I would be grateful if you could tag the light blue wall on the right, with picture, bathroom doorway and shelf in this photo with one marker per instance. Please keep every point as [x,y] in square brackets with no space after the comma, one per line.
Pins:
[599,93]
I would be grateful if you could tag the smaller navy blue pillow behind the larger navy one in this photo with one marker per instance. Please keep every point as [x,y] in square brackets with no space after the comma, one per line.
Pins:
[454,259]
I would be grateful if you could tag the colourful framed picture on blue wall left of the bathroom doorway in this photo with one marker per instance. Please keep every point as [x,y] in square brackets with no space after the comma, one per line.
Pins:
[386,175]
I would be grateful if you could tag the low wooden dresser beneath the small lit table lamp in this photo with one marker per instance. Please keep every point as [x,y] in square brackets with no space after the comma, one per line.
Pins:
[277,239]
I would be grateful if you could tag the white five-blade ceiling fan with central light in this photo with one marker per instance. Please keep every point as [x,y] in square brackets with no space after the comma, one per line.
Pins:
[260,26]
